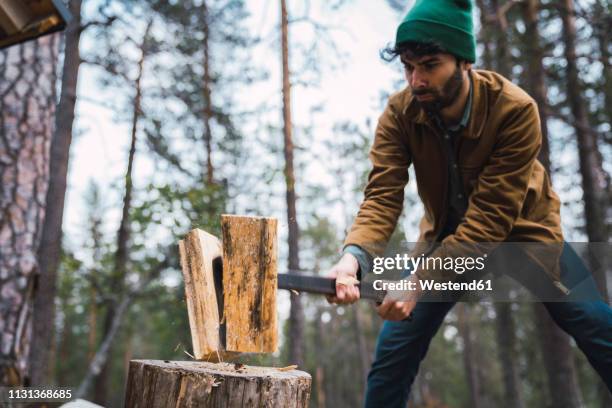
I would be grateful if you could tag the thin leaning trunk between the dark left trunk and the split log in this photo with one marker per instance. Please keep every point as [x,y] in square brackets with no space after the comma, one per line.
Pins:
[123,234]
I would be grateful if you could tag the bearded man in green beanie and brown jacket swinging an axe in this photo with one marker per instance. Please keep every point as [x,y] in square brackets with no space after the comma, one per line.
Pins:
[473,138]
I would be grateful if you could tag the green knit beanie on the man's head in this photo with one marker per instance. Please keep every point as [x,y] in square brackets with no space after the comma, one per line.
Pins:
[447,23]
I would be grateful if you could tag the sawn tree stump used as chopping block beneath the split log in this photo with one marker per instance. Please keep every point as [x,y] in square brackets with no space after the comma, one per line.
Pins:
[160,384]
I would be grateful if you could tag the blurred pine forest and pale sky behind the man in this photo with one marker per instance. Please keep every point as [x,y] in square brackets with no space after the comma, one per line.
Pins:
[144,119]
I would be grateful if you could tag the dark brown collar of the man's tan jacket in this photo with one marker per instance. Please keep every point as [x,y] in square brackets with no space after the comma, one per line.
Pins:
[478,113]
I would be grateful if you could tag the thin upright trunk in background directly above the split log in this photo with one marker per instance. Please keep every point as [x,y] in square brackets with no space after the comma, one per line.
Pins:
[208,110]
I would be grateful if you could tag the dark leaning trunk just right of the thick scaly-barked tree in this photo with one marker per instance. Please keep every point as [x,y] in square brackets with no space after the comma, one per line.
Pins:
[50,246]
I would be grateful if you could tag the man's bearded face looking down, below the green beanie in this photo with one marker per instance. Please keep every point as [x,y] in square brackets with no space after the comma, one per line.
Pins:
[435,80]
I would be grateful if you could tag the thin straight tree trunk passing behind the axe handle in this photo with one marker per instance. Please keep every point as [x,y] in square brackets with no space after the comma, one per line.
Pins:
[296,314]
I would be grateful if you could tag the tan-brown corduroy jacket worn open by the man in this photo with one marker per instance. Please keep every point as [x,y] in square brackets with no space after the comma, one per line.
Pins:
[510,195]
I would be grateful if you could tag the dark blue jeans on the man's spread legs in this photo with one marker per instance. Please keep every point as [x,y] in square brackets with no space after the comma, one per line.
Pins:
[402,345]
